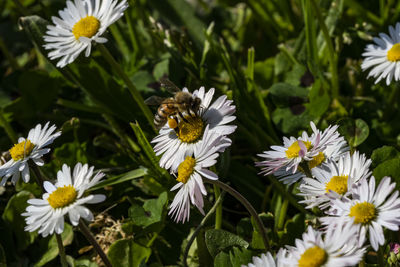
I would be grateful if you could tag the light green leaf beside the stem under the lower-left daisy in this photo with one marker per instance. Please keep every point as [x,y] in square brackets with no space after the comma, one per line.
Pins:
[52,251]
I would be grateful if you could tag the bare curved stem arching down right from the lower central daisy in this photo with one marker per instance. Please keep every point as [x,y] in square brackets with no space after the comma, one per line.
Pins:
[247,205]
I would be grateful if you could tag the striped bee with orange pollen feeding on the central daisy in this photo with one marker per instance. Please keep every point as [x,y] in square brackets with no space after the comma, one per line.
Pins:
[173,107]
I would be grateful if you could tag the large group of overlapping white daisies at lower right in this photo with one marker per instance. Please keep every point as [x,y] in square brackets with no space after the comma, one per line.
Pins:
[340,185]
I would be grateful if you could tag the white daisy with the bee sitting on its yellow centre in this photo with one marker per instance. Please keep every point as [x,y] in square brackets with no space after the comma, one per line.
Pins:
[174,146]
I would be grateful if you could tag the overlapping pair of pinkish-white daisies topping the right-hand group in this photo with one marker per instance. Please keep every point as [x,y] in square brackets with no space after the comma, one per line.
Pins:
[316,149]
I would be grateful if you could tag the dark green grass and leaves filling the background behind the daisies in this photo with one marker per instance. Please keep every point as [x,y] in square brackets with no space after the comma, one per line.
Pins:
[272,57]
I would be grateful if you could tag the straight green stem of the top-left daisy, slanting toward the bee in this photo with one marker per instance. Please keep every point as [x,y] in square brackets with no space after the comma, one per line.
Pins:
[132,89]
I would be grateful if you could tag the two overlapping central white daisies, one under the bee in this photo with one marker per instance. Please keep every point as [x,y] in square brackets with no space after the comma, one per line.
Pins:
[194,146]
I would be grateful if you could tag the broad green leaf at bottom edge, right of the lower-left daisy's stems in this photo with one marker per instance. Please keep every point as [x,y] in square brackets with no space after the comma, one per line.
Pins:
[127,253]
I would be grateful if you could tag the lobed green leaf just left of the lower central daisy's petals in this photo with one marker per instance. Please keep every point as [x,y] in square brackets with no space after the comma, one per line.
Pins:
[151,212]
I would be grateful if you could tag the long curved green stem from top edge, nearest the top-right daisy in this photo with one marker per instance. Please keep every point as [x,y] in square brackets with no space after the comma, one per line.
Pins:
[331,51]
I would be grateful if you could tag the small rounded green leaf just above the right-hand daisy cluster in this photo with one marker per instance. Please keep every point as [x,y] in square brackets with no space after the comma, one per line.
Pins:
[355,131]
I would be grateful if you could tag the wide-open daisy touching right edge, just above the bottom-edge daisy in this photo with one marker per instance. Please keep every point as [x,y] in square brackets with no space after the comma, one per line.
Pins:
[369,209]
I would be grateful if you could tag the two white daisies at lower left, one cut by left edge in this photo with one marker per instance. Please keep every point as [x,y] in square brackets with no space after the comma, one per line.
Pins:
[65,196]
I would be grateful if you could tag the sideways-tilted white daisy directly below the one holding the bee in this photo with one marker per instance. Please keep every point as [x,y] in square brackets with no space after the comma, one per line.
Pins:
[189,175]
